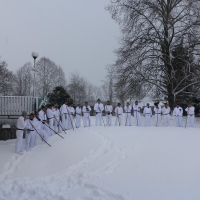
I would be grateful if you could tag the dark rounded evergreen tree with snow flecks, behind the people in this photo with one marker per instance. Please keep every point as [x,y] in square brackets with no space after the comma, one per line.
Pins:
[58,96]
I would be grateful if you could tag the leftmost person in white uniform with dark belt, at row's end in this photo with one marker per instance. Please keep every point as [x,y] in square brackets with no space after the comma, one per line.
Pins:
[19,132]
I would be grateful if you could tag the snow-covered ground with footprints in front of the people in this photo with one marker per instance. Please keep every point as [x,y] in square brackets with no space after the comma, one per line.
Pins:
[106,163]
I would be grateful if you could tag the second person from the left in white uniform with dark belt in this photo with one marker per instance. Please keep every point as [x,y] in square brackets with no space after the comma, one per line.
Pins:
[30,132]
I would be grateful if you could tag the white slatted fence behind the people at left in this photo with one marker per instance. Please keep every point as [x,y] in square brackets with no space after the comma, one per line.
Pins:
[14,105]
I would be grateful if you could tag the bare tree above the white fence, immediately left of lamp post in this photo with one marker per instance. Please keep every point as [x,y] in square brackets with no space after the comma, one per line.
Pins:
[23,83]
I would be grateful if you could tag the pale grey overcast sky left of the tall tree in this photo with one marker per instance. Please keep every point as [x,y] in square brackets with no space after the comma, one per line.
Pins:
[78,35]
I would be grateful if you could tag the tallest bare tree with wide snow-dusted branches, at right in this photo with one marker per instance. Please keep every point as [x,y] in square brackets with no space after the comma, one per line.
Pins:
[151,31]
